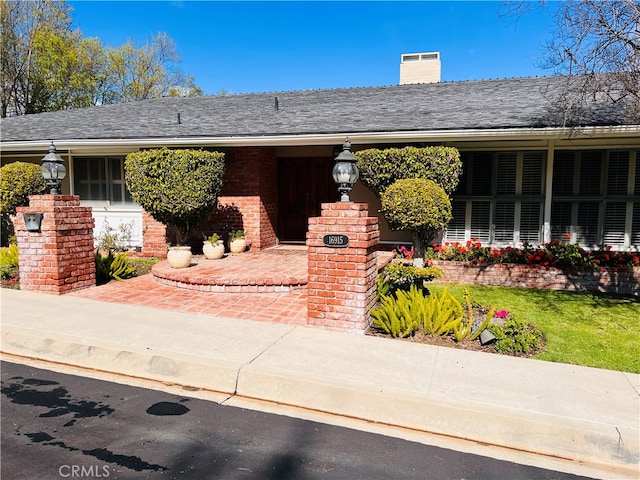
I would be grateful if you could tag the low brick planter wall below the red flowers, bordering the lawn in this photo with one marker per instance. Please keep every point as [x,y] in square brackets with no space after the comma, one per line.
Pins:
[612,280]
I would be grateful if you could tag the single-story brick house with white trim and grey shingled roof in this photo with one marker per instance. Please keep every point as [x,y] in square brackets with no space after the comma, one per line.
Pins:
[526,177]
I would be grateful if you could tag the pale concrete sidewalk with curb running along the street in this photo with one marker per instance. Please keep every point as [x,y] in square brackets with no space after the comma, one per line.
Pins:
[589,417]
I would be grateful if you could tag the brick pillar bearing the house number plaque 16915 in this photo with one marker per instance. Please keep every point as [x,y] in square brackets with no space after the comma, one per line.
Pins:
[342,281]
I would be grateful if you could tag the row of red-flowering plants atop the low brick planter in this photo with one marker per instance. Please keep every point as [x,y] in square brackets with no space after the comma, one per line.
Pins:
[556,253]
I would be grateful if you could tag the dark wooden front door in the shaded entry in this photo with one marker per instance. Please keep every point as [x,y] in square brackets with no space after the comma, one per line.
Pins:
[303,185]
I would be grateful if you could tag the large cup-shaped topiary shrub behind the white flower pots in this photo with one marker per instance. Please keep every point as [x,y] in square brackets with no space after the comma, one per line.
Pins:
[178,188]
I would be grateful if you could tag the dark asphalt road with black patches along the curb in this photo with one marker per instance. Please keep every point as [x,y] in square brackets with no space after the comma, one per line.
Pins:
[57,426]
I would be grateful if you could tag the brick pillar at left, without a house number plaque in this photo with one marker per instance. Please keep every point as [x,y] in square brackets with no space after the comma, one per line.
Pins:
[58,258]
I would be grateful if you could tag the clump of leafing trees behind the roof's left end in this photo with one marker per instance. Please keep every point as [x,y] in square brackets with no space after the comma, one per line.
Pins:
[46,65]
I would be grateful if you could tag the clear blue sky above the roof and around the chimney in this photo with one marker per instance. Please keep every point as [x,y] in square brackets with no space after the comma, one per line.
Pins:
[266,46]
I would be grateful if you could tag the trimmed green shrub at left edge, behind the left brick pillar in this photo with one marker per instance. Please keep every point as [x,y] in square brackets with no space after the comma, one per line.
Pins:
[18,180]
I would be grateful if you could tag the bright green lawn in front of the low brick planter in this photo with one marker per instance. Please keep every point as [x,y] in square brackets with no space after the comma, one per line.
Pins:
[581,328]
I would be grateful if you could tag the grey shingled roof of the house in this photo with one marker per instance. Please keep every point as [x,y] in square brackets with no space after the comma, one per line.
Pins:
[485,104]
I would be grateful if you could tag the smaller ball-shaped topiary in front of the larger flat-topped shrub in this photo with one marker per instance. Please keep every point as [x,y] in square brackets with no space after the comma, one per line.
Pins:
[419,206]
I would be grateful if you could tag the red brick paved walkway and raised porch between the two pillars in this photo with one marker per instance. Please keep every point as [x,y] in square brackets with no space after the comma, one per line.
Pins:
[289,307]
